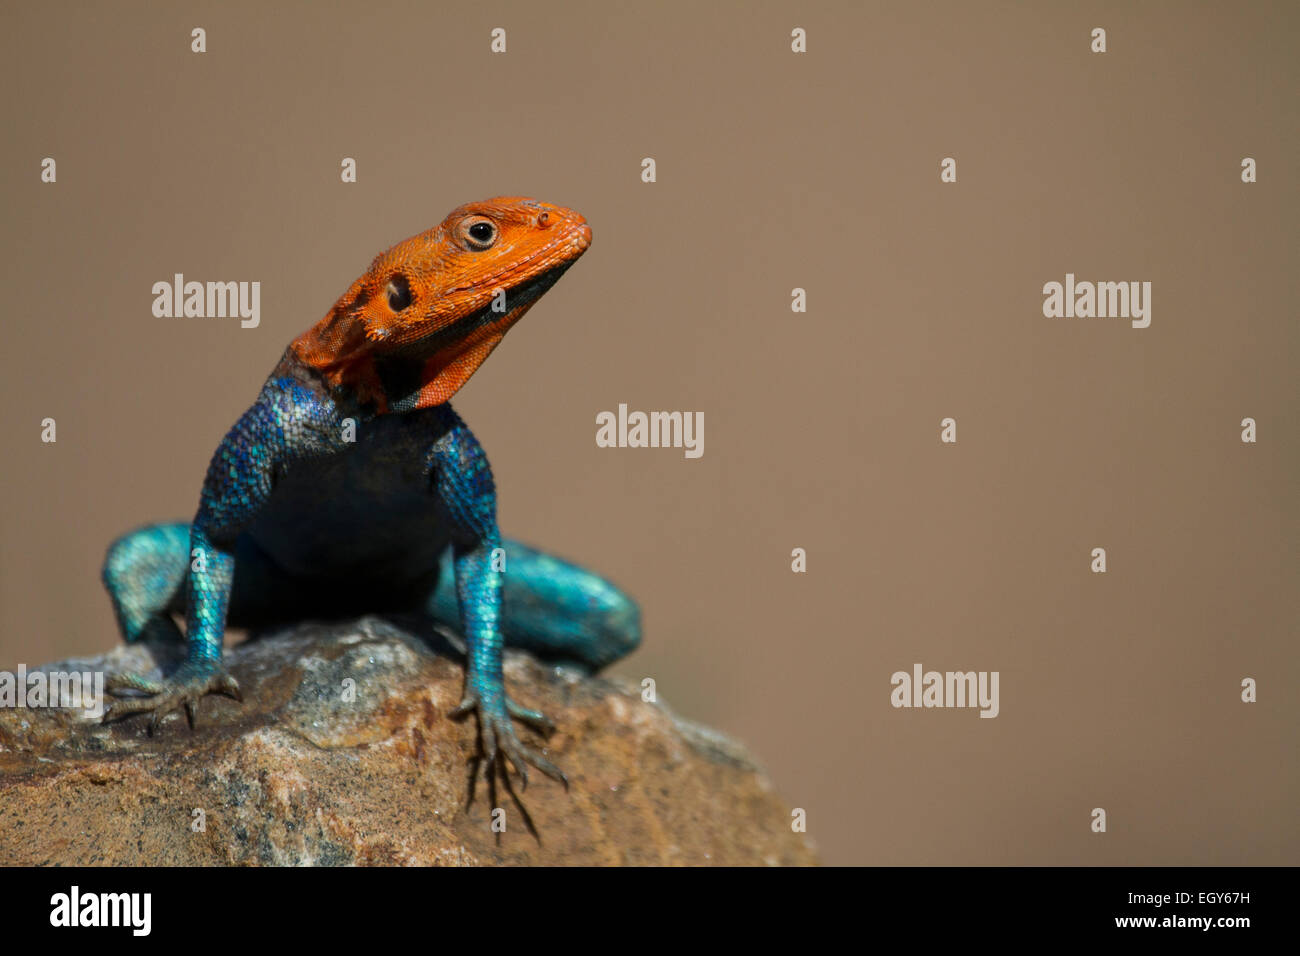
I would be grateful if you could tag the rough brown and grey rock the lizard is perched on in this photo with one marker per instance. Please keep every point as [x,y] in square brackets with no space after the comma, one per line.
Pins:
[304,773]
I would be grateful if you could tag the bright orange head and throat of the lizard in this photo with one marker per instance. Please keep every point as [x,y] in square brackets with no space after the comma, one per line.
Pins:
[414,328]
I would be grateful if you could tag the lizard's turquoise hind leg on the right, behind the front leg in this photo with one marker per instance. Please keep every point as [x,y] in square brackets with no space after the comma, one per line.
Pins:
[556,611]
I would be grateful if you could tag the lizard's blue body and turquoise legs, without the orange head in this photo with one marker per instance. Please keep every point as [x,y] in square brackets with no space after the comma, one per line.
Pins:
[296,521]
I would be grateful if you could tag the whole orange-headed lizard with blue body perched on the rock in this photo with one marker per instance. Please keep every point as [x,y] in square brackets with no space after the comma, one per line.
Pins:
[300,520]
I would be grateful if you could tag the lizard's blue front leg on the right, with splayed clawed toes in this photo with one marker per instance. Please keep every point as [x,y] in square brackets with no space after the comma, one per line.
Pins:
[462,479]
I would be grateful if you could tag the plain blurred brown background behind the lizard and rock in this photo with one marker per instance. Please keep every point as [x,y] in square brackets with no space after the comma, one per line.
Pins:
[822,430]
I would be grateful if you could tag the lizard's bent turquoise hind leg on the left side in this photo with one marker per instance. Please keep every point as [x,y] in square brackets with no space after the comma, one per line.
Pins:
[145,574]
